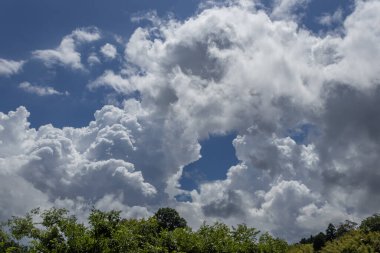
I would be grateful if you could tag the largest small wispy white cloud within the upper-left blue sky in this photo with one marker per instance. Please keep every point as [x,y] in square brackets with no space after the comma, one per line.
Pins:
[66,54]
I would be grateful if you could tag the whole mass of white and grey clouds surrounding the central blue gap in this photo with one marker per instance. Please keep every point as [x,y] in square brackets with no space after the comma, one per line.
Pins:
[304,107]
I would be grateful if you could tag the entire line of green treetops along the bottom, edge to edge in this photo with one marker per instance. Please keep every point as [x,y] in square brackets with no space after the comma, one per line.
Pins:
[54,230]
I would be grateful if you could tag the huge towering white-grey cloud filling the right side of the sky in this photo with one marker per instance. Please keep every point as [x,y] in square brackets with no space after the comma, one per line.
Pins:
[230,69]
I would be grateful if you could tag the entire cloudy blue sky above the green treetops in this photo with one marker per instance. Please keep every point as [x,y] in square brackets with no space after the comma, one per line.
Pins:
[263,112]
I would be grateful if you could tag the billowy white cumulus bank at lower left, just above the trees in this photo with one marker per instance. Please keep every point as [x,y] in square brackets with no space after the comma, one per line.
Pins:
[52,165]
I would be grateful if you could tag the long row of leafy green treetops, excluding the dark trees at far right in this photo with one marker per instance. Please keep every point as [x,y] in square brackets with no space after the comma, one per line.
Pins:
[55,230]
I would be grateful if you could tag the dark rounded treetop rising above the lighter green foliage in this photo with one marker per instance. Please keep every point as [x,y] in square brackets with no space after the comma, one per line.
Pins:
[168,218]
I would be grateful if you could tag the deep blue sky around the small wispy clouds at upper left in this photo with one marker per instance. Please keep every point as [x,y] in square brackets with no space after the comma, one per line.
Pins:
[29,25]
